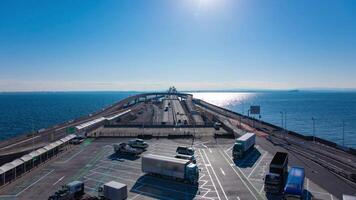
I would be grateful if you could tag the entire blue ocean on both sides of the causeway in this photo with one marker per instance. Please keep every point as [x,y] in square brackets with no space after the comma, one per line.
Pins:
[333,112]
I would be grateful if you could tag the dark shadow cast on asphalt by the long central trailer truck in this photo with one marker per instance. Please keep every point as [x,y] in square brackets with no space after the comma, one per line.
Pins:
[164,188]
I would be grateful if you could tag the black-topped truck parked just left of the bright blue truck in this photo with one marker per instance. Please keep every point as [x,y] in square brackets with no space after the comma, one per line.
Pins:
[277,175]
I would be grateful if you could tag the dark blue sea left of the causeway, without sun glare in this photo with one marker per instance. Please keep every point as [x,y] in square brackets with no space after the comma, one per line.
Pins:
[23,112]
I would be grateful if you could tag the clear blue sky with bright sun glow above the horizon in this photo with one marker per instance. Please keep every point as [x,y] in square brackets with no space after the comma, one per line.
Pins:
[192,44]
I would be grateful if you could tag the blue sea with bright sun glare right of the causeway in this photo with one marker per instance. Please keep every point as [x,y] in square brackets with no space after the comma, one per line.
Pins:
[329,109]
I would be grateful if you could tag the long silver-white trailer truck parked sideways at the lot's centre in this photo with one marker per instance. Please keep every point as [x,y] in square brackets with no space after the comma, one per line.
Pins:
[170,167]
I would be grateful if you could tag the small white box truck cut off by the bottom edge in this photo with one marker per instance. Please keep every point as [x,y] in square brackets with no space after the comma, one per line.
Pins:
[113,191]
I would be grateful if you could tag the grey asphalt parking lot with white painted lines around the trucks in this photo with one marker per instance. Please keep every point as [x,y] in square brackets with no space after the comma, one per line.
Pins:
[95,163]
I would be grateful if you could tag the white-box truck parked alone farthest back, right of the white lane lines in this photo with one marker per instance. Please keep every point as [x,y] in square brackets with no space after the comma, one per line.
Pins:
[243,144]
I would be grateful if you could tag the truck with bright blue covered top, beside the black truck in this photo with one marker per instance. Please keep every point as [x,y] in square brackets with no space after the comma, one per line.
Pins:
[295,184]
